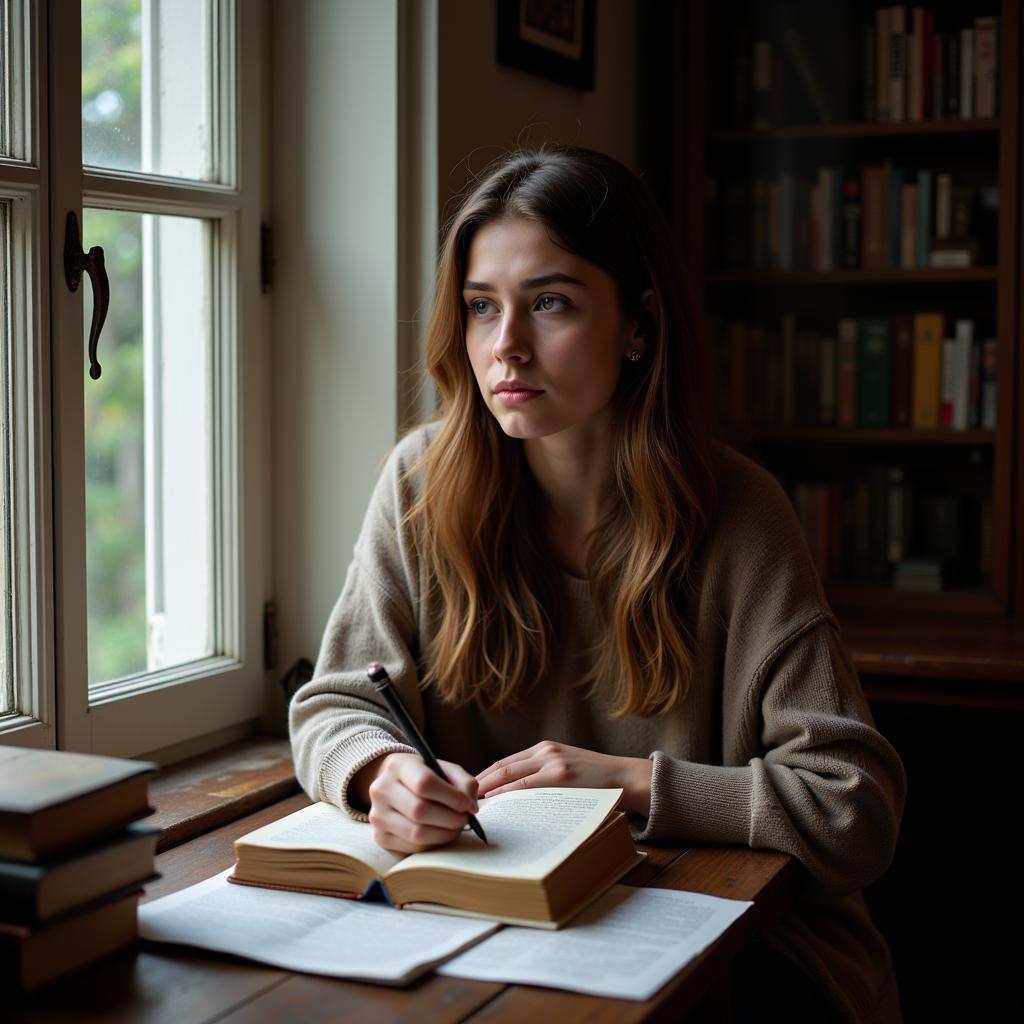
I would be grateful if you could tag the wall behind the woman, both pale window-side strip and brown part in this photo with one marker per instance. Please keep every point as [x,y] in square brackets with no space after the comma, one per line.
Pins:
[342,174]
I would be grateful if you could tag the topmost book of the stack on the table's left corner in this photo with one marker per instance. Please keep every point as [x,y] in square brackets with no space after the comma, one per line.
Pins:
[53,802]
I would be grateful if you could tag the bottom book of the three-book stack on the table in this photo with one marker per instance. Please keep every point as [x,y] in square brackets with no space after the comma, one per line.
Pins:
[30,958]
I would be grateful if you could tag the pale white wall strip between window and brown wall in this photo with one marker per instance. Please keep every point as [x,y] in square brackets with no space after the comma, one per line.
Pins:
[334,335]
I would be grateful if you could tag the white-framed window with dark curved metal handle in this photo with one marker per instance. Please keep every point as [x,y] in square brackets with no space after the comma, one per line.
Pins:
[155,594]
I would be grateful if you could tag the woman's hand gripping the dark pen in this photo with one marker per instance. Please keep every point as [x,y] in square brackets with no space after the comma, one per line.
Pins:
[411,808]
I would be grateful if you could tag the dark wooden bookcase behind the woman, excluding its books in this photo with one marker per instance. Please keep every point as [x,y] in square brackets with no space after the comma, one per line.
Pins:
[713,148]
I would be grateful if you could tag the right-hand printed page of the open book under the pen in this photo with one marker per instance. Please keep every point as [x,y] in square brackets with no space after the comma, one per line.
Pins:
[529,834]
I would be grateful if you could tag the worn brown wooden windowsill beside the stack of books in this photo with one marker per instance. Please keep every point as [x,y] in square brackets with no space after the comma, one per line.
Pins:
[204,793]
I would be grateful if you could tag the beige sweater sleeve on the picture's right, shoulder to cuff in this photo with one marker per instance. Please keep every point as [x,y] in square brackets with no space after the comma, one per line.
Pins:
[803,771]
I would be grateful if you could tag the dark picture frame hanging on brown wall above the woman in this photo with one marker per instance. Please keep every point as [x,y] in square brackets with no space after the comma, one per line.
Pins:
[551,38]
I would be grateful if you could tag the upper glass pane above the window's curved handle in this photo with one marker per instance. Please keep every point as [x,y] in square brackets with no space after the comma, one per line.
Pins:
[149,87]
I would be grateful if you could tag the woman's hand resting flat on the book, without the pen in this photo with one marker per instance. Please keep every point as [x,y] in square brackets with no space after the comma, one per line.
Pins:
[554,764]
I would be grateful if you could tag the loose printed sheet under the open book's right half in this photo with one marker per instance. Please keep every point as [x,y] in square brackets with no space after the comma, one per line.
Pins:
[628,945]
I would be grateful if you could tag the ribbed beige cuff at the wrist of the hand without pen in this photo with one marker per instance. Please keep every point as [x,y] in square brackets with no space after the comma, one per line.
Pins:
[704,803]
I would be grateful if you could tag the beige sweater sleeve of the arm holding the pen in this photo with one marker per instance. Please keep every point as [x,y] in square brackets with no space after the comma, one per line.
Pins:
[337,721]
